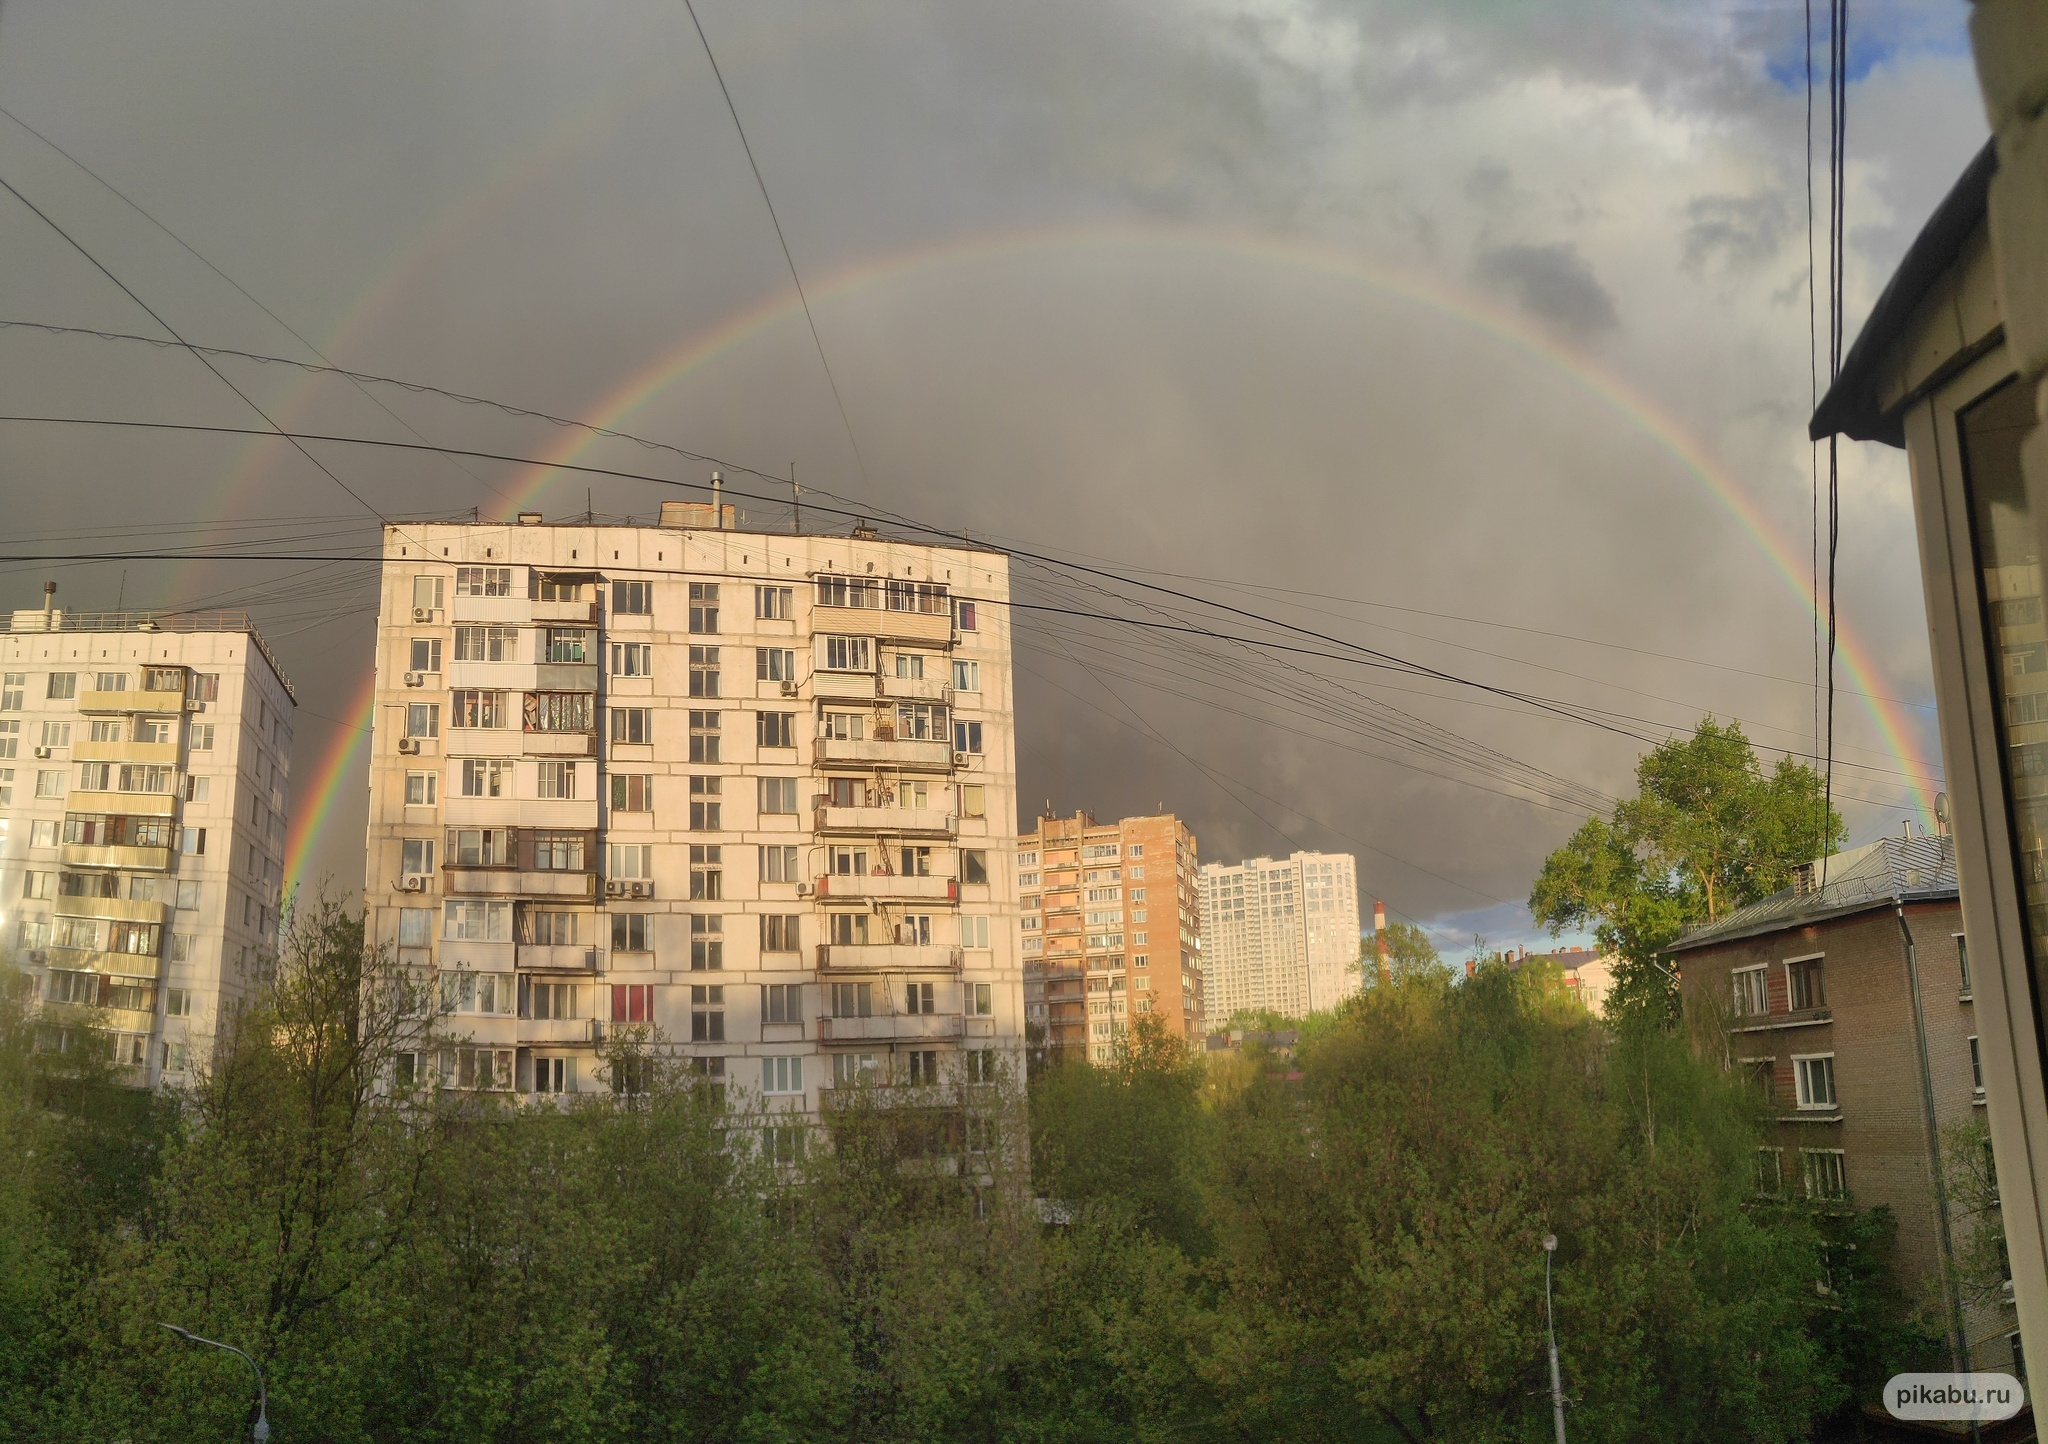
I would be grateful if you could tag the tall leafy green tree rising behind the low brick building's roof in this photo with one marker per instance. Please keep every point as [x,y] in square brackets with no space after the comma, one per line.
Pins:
[1707,833]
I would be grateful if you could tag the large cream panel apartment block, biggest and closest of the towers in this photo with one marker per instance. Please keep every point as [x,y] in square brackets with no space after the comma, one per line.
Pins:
[755,792]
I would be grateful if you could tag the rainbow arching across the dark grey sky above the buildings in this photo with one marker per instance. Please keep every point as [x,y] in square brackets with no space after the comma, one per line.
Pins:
[1504,327]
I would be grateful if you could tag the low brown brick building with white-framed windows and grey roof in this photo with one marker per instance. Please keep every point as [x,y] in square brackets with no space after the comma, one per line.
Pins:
[1814,988]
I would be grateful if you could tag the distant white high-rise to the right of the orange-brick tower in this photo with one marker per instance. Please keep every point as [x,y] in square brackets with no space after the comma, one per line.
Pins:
[1281,935]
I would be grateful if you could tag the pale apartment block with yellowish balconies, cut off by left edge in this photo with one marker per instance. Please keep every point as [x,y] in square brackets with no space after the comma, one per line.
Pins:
[144,779]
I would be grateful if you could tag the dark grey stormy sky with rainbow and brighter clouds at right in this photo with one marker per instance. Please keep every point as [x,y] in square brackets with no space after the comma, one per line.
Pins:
[1469,335]
